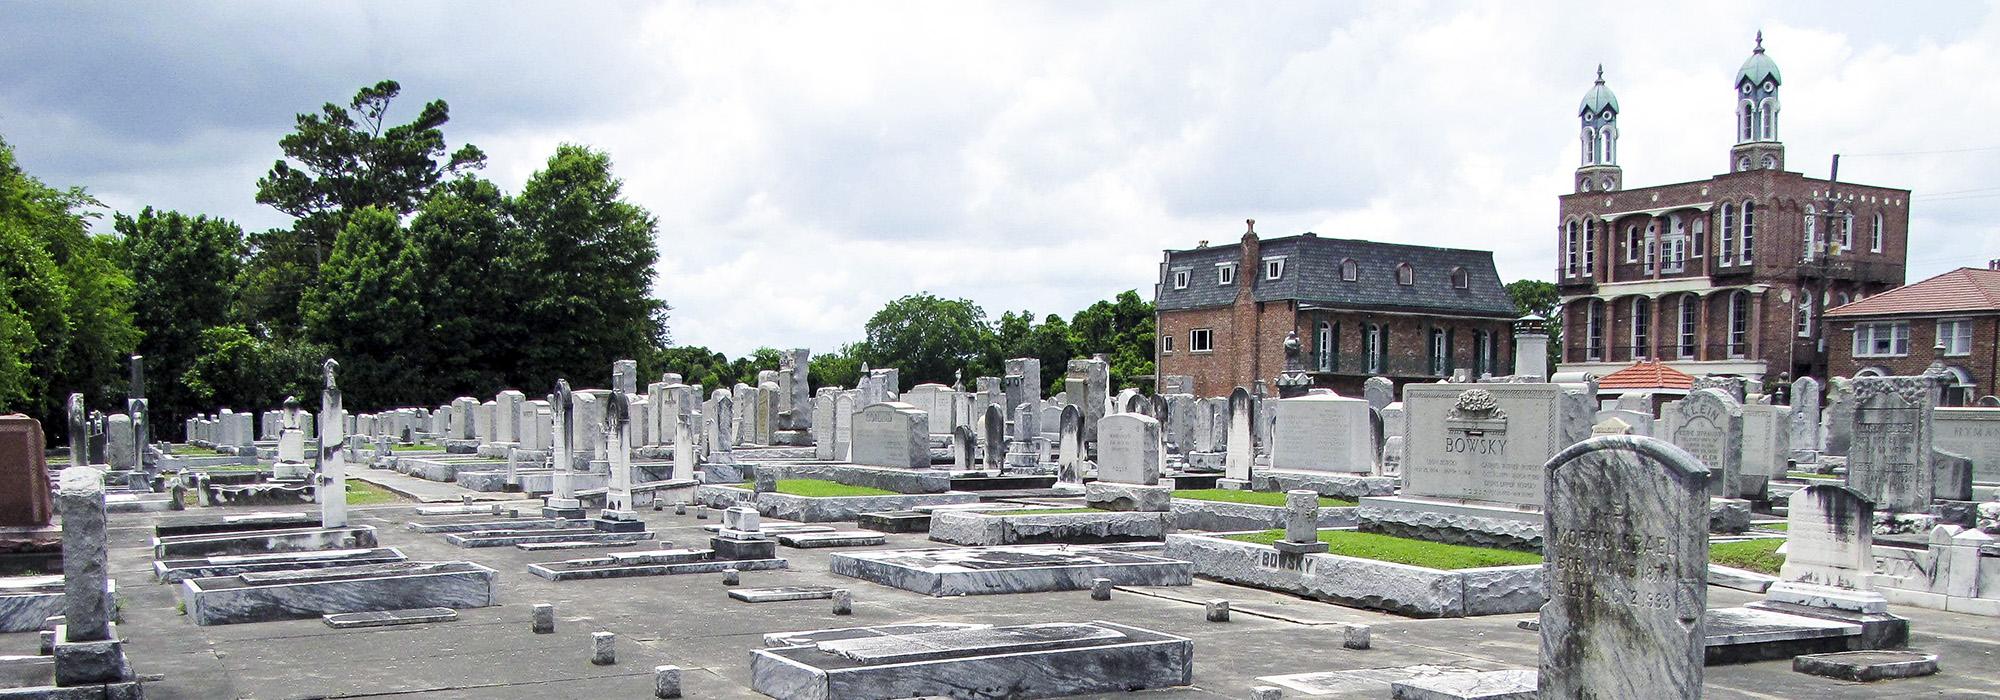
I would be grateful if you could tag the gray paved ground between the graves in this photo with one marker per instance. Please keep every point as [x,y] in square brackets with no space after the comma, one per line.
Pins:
[691,623]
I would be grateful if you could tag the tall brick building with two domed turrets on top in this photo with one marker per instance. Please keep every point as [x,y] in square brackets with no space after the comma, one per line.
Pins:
[1727,275]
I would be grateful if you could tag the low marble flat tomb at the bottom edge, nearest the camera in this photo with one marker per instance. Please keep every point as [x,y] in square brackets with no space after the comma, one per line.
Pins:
[1135,661]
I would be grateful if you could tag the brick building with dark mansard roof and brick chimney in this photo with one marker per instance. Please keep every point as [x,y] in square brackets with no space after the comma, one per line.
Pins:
[1359,307]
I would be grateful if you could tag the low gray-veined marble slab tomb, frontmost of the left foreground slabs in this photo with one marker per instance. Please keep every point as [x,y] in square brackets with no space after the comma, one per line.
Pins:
[353,589]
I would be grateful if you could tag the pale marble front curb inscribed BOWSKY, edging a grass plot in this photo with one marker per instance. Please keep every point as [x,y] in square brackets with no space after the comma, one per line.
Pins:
[1421,593]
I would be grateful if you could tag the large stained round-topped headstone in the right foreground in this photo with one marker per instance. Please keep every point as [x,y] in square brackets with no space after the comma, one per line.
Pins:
[1625,569]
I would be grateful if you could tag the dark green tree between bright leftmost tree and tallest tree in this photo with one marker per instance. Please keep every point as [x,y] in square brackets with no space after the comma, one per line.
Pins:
[185,281]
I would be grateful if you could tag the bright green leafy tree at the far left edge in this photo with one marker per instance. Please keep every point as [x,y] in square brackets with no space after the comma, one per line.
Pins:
[67,319]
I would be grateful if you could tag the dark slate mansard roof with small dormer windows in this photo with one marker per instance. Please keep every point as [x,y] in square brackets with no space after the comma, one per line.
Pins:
[1313,277]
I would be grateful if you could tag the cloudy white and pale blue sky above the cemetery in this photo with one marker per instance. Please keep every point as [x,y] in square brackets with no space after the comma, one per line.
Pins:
[811,163]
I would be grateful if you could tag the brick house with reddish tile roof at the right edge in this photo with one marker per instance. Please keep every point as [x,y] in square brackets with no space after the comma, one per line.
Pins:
[1953,319]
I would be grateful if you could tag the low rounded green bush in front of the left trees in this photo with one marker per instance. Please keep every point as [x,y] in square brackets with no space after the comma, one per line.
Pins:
[245,371]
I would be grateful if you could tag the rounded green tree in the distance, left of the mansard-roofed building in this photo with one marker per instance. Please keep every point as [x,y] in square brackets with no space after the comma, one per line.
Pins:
[925,337]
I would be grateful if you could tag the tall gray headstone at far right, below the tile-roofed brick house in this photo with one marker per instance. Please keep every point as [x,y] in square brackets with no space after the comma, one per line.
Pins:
[1889,461]
